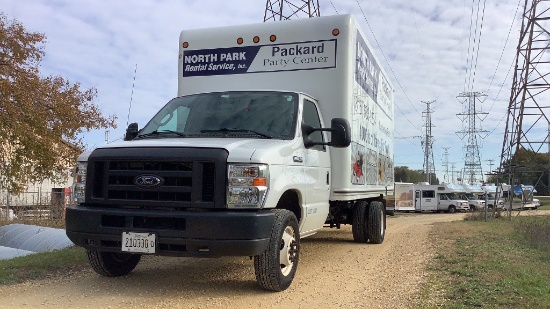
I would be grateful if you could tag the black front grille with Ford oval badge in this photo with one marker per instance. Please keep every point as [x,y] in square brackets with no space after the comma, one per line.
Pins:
[157,177]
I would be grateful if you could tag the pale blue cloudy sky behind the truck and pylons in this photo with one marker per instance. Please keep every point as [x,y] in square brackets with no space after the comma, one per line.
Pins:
[432,51]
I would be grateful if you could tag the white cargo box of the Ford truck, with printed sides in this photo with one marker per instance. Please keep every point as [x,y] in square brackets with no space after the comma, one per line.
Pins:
[340,71]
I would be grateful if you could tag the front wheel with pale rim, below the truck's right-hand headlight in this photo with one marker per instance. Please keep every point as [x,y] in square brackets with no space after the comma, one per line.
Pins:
[276,266]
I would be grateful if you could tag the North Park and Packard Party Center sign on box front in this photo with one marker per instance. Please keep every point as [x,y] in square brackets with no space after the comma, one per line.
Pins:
[260,58]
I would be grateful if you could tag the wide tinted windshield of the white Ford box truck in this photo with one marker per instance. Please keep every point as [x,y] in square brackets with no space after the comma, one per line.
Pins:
[227,114]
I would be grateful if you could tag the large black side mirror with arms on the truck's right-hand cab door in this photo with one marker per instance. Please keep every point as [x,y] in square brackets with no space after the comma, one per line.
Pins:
[340,136]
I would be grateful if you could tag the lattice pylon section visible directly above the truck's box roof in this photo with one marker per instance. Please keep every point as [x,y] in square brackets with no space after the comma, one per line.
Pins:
[287,9]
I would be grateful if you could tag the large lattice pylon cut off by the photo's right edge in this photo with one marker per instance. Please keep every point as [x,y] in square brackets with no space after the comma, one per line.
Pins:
[527,124]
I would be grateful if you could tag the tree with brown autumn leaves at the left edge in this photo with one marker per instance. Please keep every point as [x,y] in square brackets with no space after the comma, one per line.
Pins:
[41,118]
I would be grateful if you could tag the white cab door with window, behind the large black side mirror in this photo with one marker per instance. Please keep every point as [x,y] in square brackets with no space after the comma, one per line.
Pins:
[316,171]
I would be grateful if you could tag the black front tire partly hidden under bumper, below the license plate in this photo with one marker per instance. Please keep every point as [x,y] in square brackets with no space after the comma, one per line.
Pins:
[112,264]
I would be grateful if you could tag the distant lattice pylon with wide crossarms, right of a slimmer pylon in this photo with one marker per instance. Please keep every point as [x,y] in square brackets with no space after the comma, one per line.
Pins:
[471,117]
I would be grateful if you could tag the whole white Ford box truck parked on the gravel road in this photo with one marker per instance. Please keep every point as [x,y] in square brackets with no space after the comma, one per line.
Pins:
[279,129]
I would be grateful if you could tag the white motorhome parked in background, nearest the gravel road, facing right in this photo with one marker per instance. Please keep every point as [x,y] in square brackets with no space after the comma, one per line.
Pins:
[436,198]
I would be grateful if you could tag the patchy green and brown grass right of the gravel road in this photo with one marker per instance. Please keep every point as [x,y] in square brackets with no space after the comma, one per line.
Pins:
[494,264]
